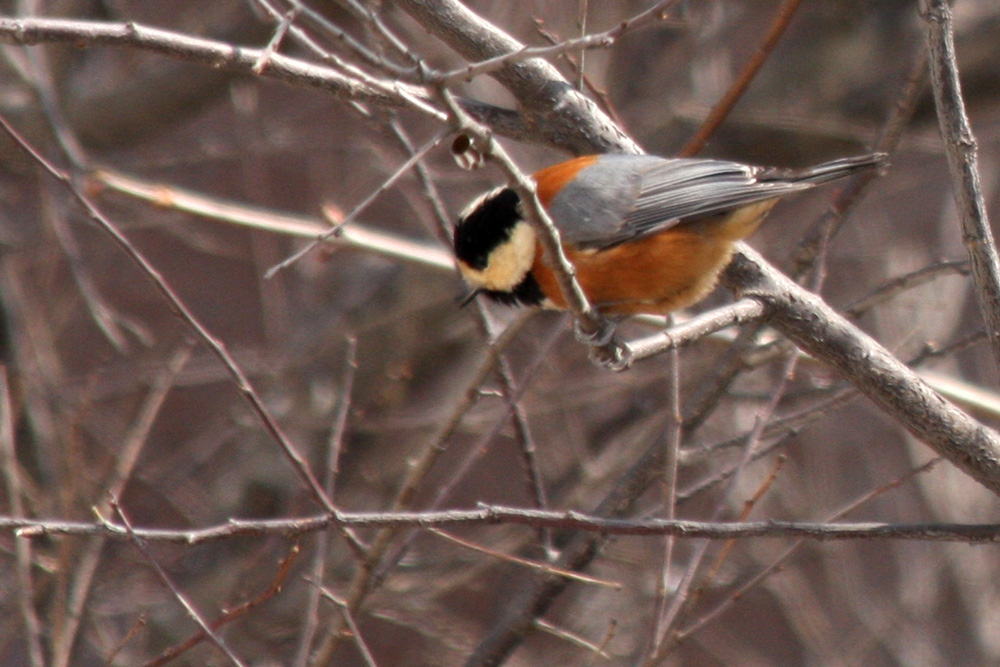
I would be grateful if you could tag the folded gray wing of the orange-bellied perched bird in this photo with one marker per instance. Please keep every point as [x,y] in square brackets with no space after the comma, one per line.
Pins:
[622,197]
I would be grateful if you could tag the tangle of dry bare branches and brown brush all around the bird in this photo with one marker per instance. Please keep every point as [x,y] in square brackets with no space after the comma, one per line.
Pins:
[156,376]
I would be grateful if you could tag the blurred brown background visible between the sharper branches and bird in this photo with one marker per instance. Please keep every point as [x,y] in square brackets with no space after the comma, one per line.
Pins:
[87,337]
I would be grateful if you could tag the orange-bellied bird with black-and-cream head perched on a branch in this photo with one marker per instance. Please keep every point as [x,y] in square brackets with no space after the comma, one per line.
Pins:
[646,234]
